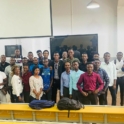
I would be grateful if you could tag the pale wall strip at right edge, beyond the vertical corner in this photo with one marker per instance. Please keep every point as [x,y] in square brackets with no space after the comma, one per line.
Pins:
[120,26]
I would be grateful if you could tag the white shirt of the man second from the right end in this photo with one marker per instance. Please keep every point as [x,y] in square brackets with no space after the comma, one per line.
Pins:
[111,71]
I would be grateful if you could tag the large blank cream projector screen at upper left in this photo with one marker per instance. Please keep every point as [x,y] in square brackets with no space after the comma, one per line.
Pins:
[25,18]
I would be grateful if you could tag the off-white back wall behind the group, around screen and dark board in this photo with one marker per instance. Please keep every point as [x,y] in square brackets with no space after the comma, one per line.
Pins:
[71,17]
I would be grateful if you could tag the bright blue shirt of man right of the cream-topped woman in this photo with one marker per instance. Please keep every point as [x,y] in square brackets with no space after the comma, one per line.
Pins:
[47,75]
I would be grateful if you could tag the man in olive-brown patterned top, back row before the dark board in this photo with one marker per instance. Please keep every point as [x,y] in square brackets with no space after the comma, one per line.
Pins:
[71,57]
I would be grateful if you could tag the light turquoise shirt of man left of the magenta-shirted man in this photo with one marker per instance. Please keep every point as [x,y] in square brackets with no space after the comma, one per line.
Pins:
[74,77]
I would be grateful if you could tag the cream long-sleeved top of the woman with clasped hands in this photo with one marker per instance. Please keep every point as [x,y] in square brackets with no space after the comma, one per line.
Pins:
[37,84]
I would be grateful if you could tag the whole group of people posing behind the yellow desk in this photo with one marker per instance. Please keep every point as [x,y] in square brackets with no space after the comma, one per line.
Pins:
[40,78]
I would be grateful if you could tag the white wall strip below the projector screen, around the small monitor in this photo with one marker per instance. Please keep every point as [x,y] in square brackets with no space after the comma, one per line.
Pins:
[28,44]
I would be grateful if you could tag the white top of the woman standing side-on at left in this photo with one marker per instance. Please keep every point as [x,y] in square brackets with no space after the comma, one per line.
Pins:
[17,86]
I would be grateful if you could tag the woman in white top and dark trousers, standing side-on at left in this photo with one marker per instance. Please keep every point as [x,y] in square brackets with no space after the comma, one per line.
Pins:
[17,87]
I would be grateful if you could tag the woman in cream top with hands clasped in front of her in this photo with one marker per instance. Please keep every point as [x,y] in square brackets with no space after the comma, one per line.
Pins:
[36,85]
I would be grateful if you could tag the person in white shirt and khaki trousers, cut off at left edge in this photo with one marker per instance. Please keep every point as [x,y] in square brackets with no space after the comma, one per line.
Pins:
[2,83]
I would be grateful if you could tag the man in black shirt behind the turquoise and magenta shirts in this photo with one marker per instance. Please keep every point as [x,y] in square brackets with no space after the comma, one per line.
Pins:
[84,61]
